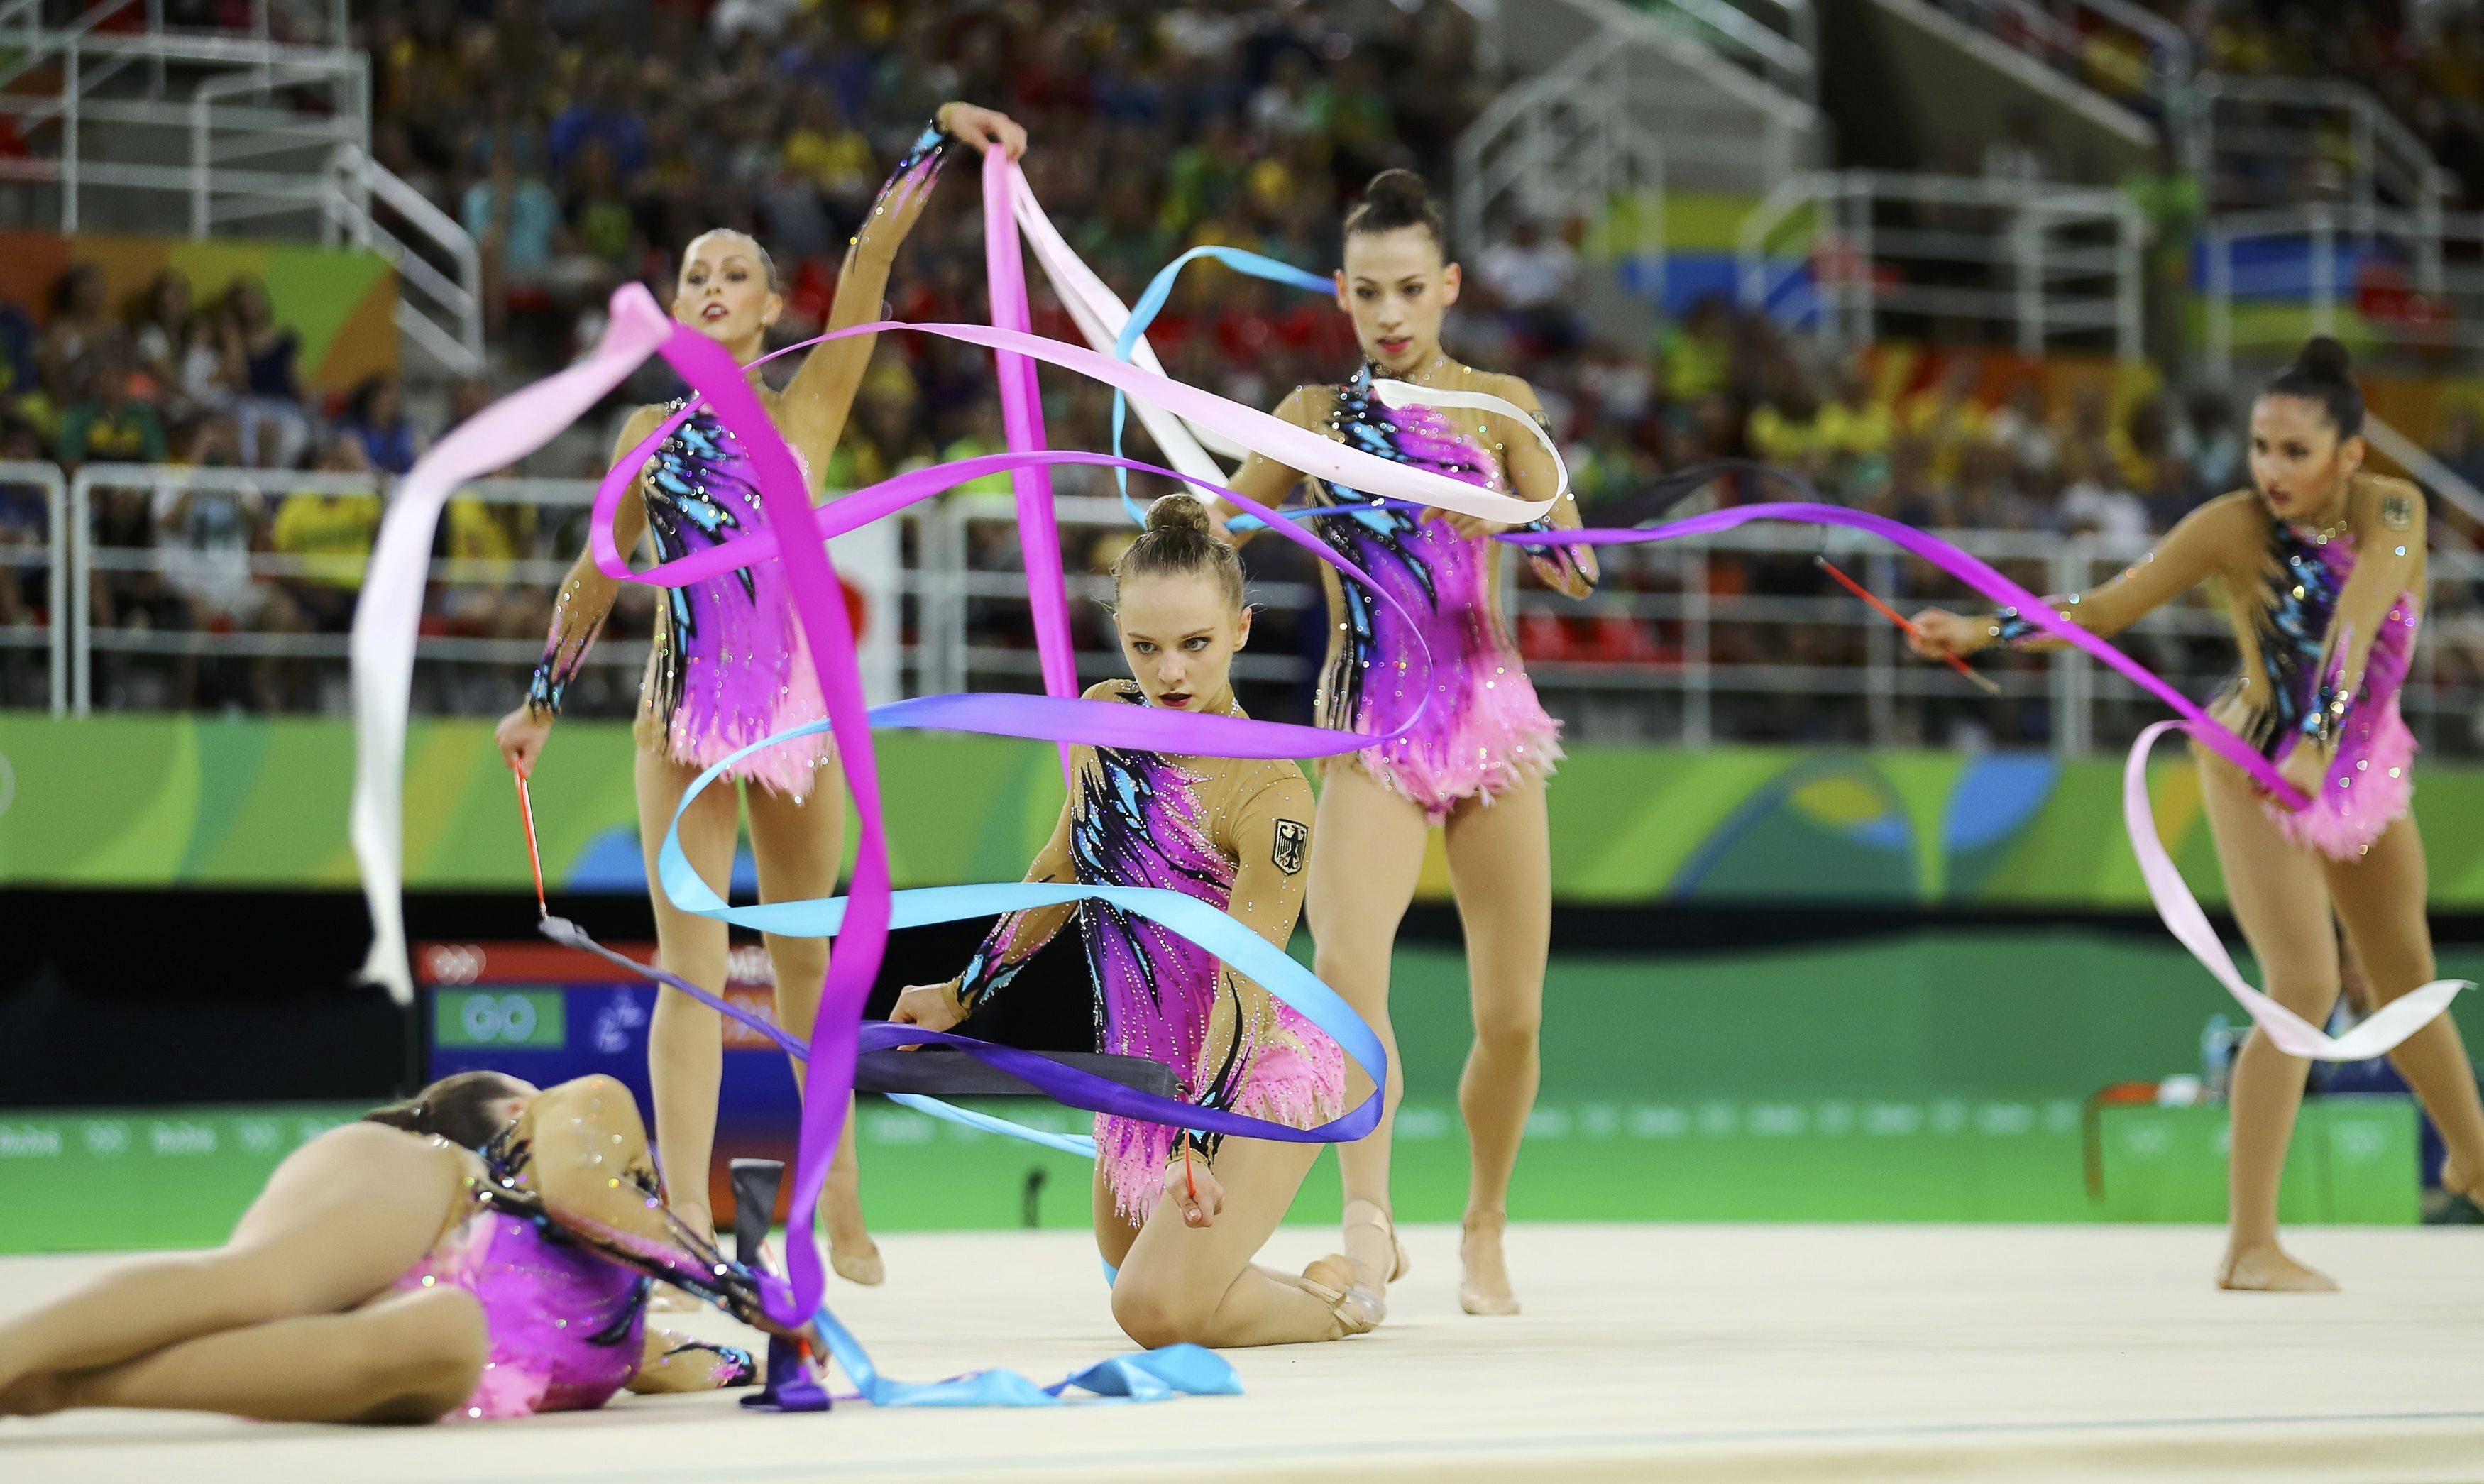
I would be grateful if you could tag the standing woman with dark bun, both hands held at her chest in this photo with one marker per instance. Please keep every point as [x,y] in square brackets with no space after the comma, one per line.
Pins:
[1484,749]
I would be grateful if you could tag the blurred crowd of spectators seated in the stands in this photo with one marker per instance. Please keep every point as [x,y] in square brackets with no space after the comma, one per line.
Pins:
[582,143]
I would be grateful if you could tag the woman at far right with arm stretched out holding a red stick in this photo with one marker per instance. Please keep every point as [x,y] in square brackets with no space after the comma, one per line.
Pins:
[2321,566]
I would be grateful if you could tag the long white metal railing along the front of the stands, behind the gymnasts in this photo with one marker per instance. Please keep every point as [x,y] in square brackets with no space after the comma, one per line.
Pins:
[1695,640]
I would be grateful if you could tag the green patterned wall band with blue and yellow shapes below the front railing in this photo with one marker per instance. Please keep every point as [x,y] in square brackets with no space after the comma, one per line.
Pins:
[163,802]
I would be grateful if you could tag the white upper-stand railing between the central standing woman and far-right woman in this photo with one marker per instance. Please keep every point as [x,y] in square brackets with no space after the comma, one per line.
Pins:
[1864,255]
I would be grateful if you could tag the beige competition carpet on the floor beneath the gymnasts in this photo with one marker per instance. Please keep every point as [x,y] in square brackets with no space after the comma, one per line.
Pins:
[1646,1353]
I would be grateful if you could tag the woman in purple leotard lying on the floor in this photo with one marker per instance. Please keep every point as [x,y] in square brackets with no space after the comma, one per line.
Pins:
[394,1274]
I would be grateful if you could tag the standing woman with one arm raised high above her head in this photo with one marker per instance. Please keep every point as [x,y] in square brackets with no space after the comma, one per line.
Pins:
[732,667]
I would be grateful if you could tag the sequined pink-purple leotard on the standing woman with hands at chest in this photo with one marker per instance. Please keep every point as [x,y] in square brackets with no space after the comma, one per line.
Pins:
[1484,730]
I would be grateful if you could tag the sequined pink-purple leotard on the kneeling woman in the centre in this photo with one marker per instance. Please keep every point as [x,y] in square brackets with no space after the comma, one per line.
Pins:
[1231,834]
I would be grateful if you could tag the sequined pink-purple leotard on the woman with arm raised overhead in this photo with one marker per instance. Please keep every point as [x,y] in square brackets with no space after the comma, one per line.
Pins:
[732,662]
